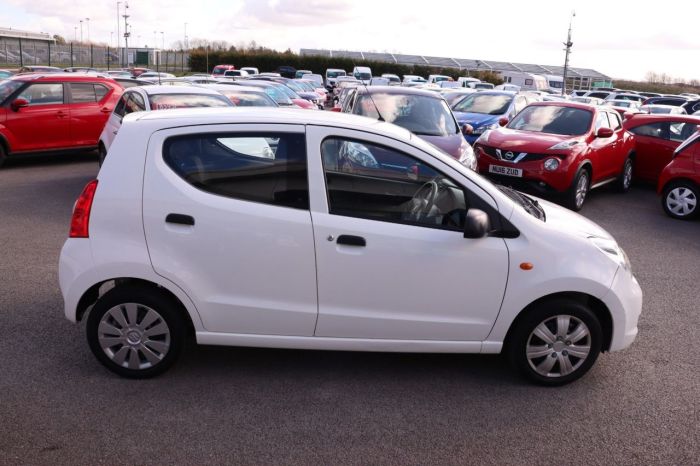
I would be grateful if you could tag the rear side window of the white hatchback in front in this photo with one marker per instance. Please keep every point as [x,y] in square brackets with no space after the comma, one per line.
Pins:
[261,167]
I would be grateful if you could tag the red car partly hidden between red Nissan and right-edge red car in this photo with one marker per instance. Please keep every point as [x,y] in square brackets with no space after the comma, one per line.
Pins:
[656,138]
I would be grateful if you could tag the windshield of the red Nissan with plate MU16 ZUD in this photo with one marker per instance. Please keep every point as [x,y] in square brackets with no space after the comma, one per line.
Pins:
[553,119]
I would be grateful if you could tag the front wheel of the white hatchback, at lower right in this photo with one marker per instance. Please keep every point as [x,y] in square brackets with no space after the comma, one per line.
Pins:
[555,343]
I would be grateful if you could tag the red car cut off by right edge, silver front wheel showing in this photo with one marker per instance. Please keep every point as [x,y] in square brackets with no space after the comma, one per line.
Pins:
[679,183]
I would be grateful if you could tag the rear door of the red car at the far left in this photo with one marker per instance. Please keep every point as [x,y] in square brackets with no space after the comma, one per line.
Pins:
[88,111]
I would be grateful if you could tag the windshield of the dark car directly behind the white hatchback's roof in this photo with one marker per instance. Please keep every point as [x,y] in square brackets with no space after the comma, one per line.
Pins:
[422,115]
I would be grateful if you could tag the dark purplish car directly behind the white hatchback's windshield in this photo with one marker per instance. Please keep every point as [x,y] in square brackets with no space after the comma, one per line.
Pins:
[424,113]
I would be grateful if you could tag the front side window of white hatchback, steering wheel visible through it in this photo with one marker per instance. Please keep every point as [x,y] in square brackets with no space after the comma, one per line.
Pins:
[375,182]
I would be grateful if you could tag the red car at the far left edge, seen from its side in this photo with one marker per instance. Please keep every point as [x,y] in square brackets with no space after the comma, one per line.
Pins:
[52,112]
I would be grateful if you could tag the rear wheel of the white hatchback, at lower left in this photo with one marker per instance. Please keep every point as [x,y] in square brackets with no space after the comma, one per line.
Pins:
[136,332]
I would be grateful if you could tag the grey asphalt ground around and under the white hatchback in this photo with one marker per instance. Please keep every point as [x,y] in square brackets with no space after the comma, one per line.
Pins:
[254,406]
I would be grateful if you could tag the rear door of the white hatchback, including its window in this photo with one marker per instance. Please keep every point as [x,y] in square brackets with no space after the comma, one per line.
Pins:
[226,218]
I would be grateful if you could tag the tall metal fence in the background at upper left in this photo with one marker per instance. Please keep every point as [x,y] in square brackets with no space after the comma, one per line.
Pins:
[15,53]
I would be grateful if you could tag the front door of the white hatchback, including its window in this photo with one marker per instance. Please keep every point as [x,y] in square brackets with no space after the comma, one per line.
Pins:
[390,266]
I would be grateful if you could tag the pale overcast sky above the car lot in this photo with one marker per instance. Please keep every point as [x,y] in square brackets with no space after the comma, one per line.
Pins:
[623,39]
